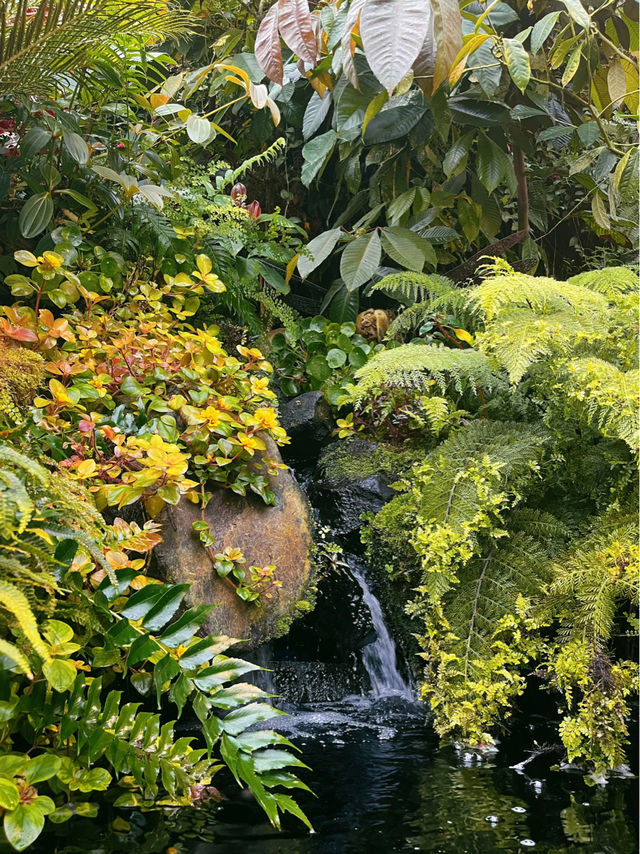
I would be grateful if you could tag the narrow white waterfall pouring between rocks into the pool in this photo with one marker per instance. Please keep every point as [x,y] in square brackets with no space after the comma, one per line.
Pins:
[379,656]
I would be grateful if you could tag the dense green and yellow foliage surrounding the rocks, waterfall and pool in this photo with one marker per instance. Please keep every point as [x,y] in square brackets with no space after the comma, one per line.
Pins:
[148,326]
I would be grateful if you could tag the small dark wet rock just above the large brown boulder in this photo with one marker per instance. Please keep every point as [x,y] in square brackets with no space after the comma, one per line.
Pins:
[309,421]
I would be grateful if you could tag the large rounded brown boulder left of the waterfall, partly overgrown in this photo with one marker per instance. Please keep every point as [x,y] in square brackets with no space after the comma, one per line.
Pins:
[280,535]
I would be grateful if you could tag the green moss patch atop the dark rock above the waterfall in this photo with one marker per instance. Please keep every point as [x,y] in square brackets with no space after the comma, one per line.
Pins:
[356,459]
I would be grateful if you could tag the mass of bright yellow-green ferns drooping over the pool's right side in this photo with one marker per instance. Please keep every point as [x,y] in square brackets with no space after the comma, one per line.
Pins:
[500,585]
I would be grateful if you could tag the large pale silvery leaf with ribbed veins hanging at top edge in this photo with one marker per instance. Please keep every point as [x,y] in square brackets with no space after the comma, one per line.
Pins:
[393,32]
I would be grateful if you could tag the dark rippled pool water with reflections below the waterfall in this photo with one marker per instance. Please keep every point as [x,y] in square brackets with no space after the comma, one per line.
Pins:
[383,786]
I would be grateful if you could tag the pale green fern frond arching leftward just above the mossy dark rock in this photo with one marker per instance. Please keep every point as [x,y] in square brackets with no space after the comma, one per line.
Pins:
[418,366]
